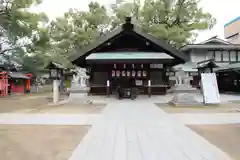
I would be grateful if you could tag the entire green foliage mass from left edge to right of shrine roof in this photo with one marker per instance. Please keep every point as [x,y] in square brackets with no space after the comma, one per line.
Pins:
[176,21]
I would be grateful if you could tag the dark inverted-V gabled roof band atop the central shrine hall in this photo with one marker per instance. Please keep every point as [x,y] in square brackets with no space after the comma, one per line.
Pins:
[129,27]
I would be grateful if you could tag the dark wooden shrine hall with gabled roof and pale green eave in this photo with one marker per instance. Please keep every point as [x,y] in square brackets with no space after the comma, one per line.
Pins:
[131,57]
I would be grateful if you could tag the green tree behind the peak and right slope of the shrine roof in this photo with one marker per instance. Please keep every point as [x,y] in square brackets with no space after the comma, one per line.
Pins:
[176,21]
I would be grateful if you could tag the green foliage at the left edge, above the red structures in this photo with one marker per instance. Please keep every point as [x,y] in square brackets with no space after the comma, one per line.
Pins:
[21,33]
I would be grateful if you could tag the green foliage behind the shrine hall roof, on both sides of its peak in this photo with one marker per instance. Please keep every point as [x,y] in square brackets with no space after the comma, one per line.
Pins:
[172,20]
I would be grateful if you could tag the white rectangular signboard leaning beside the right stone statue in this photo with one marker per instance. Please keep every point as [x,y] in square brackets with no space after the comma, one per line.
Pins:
[210,88]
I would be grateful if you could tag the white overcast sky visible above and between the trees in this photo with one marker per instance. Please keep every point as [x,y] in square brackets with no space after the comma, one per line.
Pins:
[223,10]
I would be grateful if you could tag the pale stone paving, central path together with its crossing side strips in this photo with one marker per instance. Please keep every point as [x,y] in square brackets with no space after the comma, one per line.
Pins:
[136,130]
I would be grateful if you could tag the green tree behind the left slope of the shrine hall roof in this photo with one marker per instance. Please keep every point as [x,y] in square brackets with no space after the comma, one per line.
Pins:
[77,29]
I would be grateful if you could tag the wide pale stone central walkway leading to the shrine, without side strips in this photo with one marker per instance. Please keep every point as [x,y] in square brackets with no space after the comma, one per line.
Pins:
[132,130]
